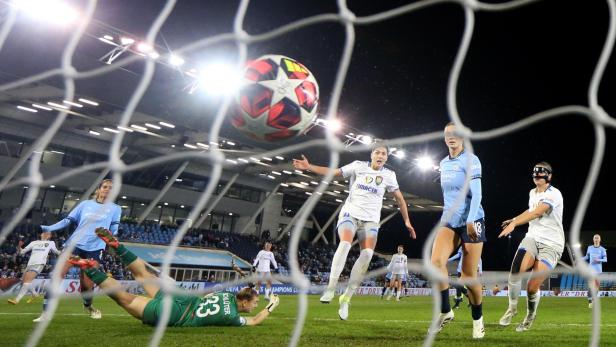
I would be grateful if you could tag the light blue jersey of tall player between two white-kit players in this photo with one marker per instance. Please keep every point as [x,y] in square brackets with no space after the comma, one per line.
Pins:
[453,175]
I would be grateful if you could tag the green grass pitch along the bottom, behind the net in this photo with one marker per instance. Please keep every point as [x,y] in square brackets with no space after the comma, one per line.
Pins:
[372,322]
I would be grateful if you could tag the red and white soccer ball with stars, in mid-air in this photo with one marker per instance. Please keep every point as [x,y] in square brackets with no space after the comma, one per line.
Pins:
[278,99]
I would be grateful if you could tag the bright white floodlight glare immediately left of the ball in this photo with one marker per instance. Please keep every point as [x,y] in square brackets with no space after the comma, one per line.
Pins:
[219,79]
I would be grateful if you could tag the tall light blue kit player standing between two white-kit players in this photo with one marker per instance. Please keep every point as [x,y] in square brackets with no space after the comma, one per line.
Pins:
[466,226]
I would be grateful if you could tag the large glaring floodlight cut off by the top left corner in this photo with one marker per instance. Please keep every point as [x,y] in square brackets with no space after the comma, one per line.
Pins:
[55,11]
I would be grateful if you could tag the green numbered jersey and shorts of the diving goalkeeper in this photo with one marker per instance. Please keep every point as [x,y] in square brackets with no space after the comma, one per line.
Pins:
[188,311]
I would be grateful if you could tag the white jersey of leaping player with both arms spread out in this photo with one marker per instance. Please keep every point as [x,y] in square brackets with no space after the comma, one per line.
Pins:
[367,187]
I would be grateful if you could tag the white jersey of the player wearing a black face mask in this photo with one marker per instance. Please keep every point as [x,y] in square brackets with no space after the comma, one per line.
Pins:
[547,229]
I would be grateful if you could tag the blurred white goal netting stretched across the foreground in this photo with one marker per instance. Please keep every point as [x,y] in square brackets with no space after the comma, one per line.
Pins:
[593,111]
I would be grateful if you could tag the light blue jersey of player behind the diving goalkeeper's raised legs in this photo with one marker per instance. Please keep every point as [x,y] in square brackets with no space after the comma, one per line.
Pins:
[88,216]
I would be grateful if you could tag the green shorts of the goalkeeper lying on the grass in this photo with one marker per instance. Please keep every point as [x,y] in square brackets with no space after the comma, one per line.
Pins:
[180,306]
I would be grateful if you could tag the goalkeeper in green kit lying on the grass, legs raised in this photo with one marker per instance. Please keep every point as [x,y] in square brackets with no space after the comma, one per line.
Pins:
[220,308]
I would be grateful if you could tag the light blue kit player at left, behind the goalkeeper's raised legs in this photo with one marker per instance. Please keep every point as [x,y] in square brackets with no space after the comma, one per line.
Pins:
[87,216]
